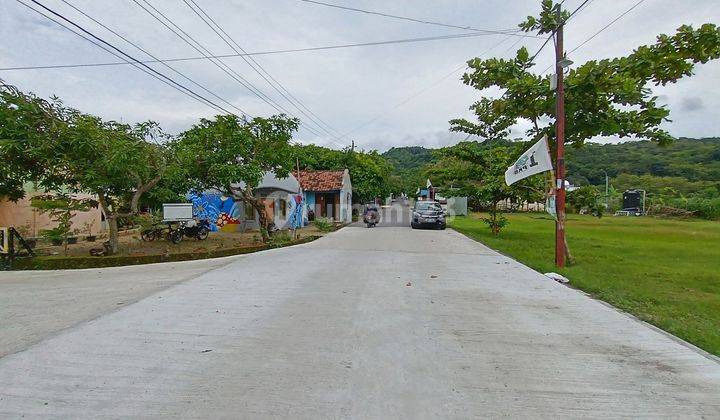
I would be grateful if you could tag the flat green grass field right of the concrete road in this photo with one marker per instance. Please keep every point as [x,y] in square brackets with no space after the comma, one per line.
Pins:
[665,272]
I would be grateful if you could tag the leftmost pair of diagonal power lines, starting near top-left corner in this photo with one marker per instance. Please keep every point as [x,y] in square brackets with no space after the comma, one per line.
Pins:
[104,45]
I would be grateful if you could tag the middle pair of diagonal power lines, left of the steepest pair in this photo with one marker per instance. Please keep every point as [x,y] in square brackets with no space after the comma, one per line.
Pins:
[195,44]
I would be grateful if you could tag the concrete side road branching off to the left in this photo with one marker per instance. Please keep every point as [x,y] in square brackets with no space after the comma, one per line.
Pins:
[36,304]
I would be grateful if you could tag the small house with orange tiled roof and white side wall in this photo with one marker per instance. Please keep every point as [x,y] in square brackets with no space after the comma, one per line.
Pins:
[327,194]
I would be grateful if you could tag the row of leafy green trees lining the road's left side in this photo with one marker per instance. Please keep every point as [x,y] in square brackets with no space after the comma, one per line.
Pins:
[129,170]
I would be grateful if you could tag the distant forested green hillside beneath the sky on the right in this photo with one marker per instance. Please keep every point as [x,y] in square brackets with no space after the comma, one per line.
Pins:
[683,175]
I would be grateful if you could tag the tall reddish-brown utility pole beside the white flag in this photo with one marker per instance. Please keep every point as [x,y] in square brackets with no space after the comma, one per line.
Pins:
[560,146]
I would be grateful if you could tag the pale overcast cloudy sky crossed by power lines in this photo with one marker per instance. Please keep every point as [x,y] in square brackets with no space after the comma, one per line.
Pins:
[380,96]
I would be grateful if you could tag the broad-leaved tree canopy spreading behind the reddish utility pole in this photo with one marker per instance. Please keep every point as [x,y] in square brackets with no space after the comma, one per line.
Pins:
[609,97]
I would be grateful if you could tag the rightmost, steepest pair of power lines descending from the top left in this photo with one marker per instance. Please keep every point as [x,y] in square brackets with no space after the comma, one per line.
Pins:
[257,67]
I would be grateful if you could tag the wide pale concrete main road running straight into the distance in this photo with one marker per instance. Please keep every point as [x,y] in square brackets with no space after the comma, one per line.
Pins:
[364,323]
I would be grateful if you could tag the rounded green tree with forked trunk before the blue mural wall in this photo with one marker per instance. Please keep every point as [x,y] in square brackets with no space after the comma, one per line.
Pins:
[231,154]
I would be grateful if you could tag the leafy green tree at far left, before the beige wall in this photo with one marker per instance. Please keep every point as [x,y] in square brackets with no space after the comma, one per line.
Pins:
[60,148]
